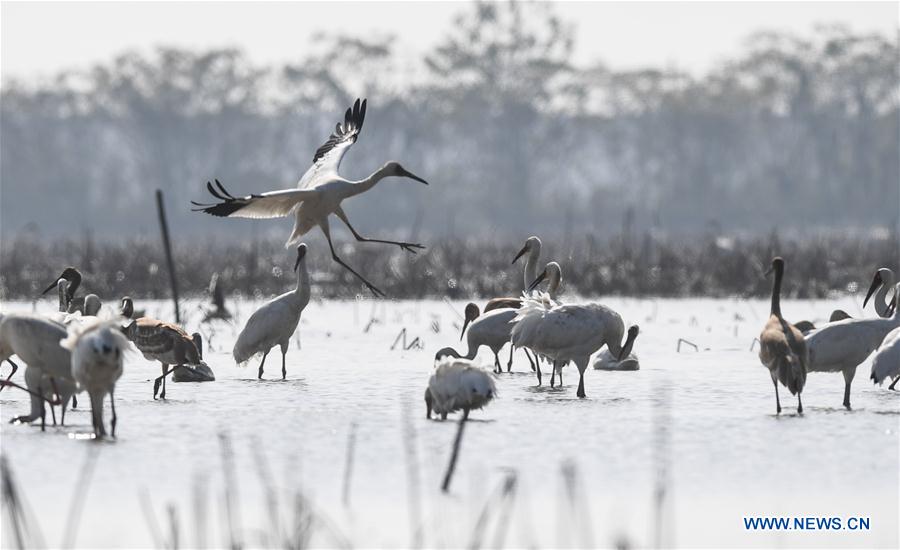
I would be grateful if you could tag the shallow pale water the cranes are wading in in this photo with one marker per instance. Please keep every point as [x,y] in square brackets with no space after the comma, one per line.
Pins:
[702,421]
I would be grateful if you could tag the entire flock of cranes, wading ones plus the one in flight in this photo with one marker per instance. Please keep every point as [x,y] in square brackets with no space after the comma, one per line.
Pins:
[82,347]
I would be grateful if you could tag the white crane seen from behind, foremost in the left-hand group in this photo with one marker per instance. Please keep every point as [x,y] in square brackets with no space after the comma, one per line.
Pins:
[98,351]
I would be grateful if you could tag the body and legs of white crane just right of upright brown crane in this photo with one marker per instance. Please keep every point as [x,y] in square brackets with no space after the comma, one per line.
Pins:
[843,345]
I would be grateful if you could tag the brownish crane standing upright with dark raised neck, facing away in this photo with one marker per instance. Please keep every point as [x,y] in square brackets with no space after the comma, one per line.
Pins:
[782,348]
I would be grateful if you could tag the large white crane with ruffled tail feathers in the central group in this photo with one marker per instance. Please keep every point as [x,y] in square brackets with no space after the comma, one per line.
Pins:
[571,333]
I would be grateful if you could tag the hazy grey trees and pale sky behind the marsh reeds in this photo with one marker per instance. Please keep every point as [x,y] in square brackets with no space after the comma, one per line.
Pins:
[569,120]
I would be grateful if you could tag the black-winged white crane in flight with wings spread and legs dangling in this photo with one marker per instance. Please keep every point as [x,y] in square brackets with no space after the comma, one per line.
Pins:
[319,193]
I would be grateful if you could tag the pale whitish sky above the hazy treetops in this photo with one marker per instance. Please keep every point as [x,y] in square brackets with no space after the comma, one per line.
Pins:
[39,39]
